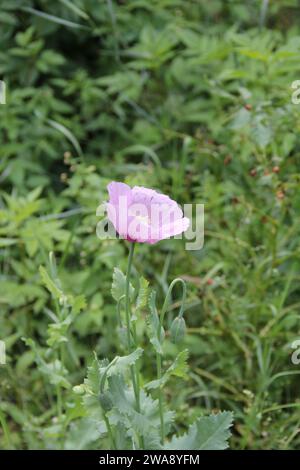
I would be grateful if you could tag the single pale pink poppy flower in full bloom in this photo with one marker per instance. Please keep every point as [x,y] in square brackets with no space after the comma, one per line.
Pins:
[143,215]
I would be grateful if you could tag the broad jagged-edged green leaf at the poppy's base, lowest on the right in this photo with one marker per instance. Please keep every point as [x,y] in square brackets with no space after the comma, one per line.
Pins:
[207,433]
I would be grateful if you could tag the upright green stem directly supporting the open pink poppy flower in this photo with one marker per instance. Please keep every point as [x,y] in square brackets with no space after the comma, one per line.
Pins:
[134,369]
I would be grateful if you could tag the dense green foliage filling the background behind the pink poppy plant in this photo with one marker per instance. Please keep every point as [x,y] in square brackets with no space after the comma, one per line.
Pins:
[192,98]
